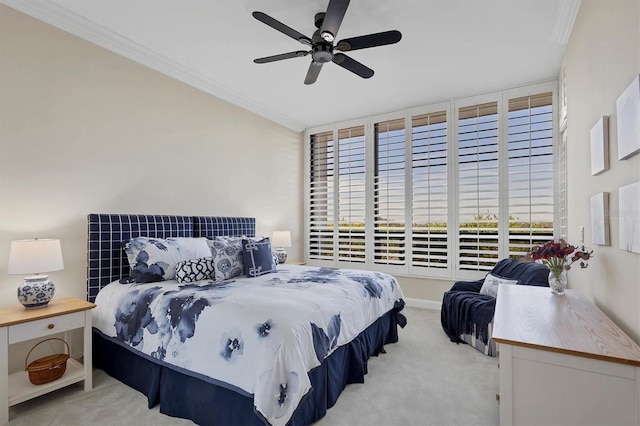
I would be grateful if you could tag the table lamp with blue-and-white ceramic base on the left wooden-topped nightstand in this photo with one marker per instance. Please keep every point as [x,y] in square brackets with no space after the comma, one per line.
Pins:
[33,257]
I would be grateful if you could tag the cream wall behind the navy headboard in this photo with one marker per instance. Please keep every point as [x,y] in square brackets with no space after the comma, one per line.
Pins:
[83,130]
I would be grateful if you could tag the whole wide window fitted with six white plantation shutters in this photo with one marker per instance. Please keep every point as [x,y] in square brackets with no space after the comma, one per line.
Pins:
[420,193]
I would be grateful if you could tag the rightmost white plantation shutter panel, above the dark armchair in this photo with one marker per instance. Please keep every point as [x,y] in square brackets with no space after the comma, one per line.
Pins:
[530,145]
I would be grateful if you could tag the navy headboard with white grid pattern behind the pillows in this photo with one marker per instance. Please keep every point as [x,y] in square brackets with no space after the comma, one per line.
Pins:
[106,260]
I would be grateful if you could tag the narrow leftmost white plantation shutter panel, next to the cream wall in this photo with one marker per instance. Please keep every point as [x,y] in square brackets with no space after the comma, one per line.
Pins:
[322,197]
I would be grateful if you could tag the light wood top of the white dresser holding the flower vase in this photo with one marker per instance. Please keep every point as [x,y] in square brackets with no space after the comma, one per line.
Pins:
[533,317]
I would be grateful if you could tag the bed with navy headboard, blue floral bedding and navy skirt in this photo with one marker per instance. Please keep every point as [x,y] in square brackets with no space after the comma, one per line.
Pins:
[264,347]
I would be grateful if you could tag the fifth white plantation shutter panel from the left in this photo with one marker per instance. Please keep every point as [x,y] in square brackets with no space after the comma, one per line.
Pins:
[478,187]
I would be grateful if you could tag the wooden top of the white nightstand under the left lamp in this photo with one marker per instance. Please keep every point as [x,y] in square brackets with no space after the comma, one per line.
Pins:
[18,314]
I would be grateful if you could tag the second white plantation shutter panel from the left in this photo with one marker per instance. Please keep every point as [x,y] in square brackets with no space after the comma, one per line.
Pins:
[351,194]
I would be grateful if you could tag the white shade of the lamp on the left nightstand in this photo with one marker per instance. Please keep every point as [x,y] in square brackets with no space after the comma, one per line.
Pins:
[35,256]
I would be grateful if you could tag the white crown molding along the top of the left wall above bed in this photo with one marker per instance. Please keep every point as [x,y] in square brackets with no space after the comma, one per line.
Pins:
[62,18]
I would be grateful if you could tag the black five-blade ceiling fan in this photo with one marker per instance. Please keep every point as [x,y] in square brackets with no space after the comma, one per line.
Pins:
[321,43]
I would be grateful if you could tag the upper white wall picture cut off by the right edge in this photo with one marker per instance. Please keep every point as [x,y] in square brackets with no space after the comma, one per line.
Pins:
[628,120]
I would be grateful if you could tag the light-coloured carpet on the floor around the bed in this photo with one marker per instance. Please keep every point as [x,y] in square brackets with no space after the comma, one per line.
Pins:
[424,379]
